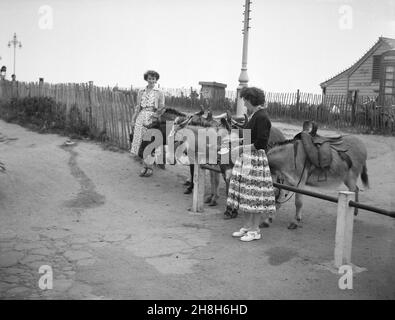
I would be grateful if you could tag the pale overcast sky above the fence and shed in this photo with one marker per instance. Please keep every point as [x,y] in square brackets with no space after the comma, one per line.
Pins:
[292,45]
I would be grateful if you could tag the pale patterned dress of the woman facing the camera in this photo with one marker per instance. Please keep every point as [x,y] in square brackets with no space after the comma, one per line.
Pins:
[147,106]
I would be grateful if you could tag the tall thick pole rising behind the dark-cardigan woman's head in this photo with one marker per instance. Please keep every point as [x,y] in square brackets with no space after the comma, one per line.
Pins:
[243,78]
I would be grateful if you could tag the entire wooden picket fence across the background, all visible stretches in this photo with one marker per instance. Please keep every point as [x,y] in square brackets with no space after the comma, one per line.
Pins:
[108,111]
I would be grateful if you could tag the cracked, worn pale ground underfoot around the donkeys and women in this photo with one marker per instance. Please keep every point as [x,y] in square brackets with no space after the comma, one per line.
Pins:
[109,234]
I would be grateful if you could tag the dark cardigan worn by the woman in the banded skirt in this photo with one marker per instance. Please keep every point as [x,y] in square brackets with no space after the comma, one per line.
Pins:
[260,126]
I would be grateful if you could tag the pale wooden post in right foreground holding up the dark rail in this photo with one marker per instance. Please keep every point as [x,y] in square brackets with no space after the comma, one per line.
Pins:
[344,229]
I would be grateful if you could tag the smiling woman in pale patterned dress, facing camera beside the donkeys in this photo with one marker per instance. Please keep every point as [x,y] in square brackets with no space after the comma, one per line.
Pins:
[150,101]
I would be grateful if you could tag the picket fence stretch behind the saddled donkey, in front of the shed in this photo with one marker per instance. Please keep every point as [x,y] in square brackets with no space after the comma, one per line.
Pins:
[362,114]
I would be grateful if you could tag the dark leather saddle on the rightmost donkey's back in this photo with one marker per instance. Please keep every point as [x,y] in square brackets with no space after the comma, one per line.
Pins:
[319,148]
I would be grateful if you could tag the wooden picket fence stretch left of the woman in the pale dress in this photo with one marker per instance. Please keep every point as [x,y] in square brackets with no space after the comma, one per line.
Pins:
[107,112]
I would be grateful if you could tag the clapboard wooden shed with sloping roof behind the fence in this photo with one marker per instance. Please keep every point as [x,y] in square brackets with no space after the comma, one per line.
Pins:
[372,75]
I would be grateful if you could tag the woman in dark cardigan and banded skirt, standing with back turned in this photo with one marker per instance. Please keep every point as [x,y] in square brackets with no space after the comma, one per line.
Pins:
[251,187]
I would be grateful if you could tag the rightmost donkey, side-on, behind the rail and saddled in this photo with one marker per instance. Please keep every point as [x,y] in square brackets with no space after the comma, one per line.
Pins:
[290,160]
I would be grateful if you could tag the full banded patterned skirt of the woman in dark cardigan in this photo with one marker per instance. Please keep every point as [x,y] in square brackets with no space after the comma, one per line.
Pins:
[251,186]
